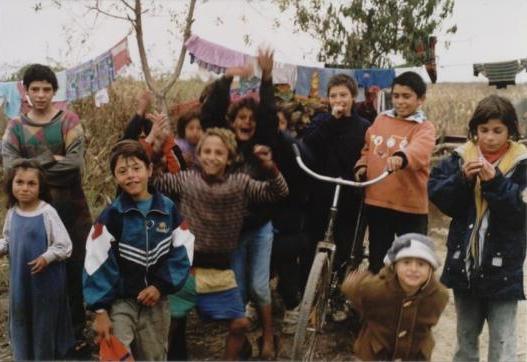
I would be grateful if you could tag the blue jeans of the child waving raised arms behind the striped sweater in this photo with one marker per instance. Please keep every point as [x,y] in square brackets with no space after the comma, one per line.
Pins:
[251,263]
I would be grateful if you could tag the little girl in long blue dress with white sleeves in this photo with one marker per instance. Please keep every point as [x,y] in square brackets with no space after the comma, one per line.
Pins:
[37,242]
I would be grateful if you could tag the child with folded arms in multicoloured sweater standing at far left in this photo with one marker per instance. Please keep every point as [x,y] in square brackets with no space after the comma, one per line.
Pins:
[55,140]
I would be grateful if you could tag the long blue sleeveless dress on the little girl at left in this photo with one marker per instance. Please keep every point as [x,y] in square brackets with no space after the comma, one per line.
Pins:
[40,325]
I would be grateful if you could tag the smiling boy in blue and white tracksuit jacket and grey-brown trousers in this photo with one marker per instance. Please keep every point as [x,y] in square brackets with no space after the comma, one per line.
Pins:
[137,252]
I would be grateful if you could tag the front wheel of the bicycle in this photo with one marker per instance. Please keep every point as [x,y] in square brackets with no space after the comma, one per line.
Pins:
[312,314]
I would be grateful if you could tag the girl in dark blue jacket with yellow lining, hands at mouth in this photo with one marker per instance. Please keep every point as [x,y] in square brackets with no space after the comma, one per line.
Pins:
[481,186]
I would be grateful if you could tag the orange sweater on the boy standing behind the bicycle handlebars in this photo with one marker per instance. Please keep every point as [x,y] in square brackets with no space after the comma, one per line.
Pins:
[406,189]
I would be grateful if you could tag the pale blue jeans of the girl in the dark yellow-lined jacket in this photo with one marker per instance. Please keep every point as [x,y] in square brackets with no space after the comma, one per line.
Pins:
[501,318]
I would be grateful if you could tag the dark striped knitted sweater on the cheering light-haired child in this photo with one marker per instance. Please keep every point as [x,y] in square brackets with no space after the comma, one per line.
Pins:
[215,209]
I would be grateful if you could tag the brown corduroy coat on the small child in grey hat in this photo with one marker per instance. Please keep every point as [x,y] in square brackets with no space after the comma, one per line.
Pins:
[395,326]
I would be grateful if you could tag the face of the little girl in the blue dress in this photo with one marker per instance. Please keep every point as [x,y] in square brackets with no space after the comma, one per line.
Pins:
[26,188]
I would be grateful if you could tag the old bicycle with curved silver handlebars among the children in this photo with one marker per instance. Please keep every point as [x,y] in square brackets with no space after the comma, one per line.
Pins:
[322,282]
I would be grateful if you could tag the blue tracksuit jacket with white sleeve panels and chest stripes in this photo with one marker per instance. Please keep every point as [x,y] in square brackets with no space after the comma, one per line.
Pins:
[127,251]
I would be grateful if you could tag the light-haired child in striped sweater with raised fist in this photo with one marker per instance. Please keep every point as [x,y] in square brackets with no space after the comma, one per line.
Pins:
[214,203]
